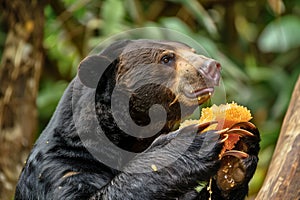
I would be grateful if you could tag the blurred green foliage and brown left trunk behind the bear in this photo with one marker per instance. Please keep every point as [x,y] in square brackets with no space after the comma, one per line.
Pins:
[42,43]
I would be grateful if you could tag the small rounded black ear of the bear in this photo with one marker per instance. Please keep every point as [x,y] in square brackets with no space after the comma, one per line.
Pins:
[91,69]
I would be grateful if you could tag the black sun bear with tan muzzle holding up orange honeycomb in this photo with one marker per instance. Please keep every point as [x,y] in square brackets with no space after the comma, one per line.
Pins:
[113,134]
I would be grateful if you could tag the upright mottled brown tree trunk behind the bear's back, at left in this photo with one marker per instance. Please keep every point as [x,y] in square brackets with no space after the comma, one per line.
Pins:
[20,69]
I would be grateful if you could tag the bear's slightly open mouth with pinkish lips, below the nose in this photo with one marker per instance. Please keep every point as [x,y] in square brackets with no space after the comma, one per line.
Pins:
[201,94]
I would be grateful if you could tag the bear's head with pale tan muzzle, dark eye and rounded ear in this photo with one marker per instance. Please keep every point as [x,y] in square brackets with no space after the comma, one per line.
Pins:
[132,76]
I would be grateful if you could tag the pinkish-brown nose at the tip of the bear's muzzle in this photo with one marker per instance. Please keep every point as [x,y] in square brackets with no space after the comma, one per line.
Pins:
[211,69]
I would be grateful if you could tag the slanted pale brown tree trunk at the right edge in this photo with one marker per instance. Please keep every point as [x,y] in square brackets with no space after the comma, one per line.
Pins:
[283,177]
